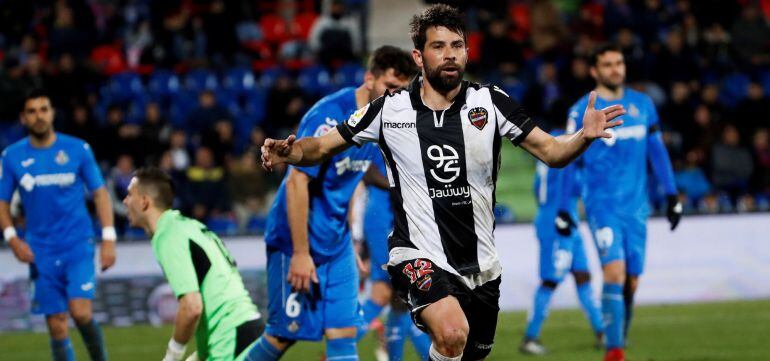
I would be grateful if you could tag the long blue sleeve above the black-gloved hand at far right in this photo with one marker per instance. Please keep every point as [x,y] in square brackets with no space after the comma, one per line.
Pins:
[657,153]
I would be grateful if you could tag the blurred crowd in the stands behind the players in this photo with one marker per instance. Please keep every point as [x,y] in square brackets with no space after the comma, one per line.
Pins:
[194,86]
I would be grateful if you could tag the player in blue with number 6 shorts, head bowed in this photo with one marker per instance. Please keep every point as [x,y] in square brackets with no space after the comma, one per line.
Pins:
[312,273]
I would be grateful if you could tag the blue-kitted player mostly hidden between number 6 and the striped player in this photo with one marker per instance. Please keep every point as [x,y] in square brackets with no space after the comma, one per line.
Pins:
[377,226]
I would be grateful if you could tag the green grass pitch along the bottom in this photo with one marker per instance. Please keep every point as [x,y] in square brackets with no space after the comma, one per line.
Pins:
[733,331]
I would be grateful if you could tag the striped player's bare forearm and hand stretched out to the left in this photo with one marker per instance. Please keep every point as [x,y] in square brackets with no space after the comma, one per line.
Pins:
[306,151]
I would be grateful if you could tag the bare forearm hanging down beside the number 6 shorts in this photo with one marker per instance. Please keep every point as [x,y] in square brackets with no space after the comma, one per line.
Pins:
[297,205]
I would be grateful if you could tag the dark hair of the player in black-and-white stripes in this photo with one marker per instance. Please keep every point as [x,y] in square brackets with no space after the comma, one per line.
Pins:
[435,15]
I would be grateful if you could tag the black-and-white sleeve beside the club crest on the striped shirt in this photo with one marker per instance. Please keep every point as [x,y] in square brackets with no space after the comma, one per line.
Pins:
[512,122]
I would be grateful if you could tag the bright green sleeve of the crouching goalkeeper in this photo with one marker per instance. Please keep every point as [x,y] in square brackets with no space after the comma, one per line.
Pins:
[175,258]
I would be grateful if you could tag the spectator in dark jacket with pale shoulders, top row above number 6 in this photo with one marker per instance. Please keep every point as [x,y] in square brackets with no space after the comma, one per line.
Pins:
[335,38]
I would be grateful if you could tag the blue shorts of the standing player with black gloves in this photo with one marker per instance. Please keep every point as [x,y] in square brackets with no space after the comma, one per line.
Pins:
[620,238]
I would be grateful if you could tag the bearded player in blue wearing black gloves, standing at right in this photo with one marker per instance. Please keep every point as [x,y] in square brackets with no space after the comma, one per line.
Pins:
[617,210]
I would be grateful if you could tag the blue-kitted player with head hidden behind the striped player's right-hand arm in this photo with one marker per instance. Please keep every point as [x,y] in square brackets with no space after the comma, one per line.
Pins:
[561,248]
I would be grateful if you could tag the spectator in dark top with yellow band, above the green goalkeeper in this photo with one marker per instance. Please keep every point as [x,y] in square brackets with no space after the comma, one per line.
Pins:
[206,190]
